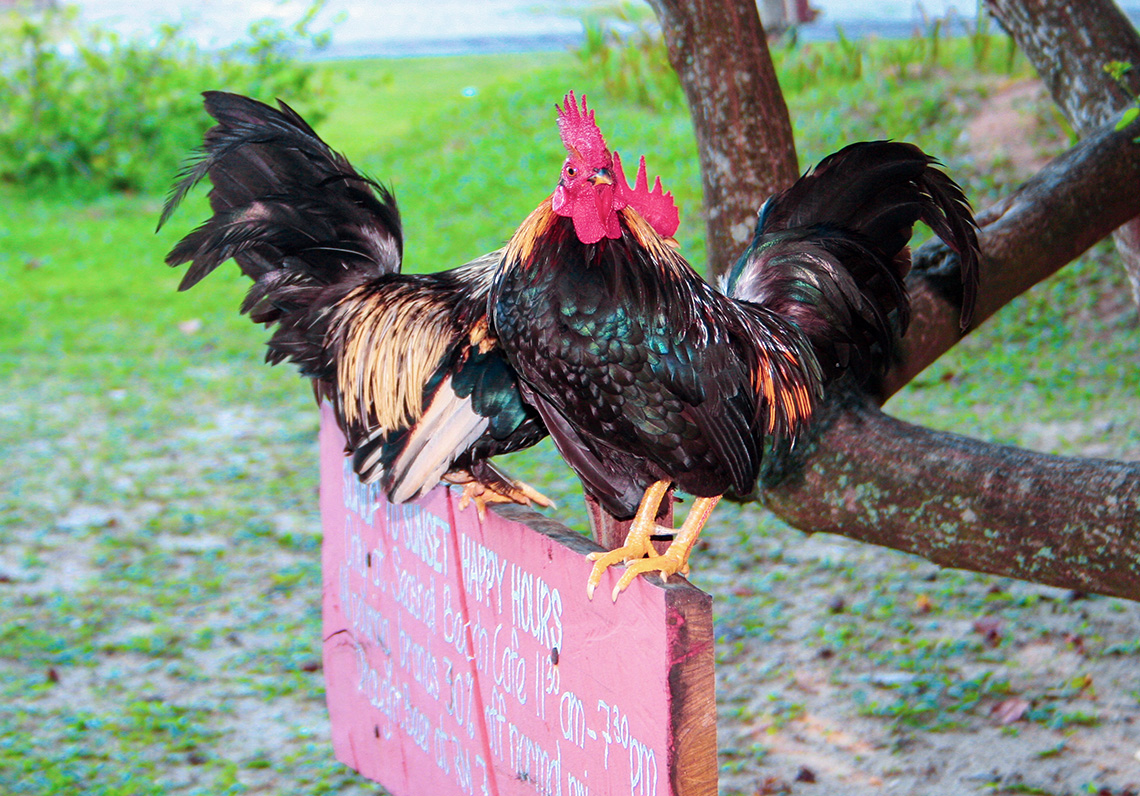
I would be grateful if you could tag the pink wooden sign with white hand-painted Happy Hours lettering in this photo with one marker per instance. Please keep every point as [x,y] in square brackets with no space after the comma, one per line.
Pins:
[463,657]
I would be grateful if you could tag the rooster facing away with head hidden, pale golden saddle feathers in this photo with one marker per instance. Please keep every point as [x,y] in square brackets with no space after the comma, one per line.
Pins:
[419,385]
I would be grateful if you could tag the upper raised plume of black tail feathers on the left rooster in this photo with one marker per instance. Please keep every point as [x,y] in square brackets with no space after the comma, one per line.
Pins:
[280,192]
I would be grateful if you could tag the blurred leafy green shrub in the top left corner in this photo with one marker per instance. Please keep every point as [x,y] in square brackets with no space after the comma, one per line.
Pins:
[86,110]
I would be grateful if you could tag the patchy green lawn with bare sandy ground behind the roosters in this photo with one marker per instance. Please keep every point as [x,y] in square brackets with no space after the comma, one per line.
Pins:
[160,587]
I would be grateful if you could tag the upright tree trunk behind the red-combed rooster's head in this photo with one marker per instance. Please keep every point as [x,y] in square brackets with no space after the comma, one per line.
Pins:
[744,133]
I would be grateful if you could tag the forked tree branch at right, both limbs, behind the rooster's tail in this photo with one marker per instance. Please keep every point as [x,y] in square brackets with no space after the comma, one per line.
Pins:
[1069,523]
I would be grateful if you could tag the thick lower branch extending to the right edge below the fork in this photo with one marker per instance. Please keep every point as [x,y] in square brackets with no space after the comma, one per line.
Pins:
[959,502]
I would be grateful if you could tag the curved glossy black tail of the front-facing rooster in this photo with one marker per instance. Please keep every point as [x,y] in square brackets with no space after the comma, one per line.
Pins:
[832,251]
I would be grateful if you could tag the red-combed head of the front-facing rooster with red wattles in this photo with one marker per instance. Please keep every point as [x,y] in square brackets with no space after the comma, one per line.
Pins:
[593,189]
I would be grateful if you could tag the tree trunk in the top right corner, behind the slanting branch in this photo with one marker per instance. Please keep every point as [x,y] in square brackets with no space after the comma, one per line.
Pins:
[1070,45]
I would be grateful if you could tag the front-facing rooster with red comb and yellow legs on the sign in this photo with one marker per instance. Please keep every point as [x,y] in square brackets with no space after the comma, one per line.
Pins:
[648,378]
